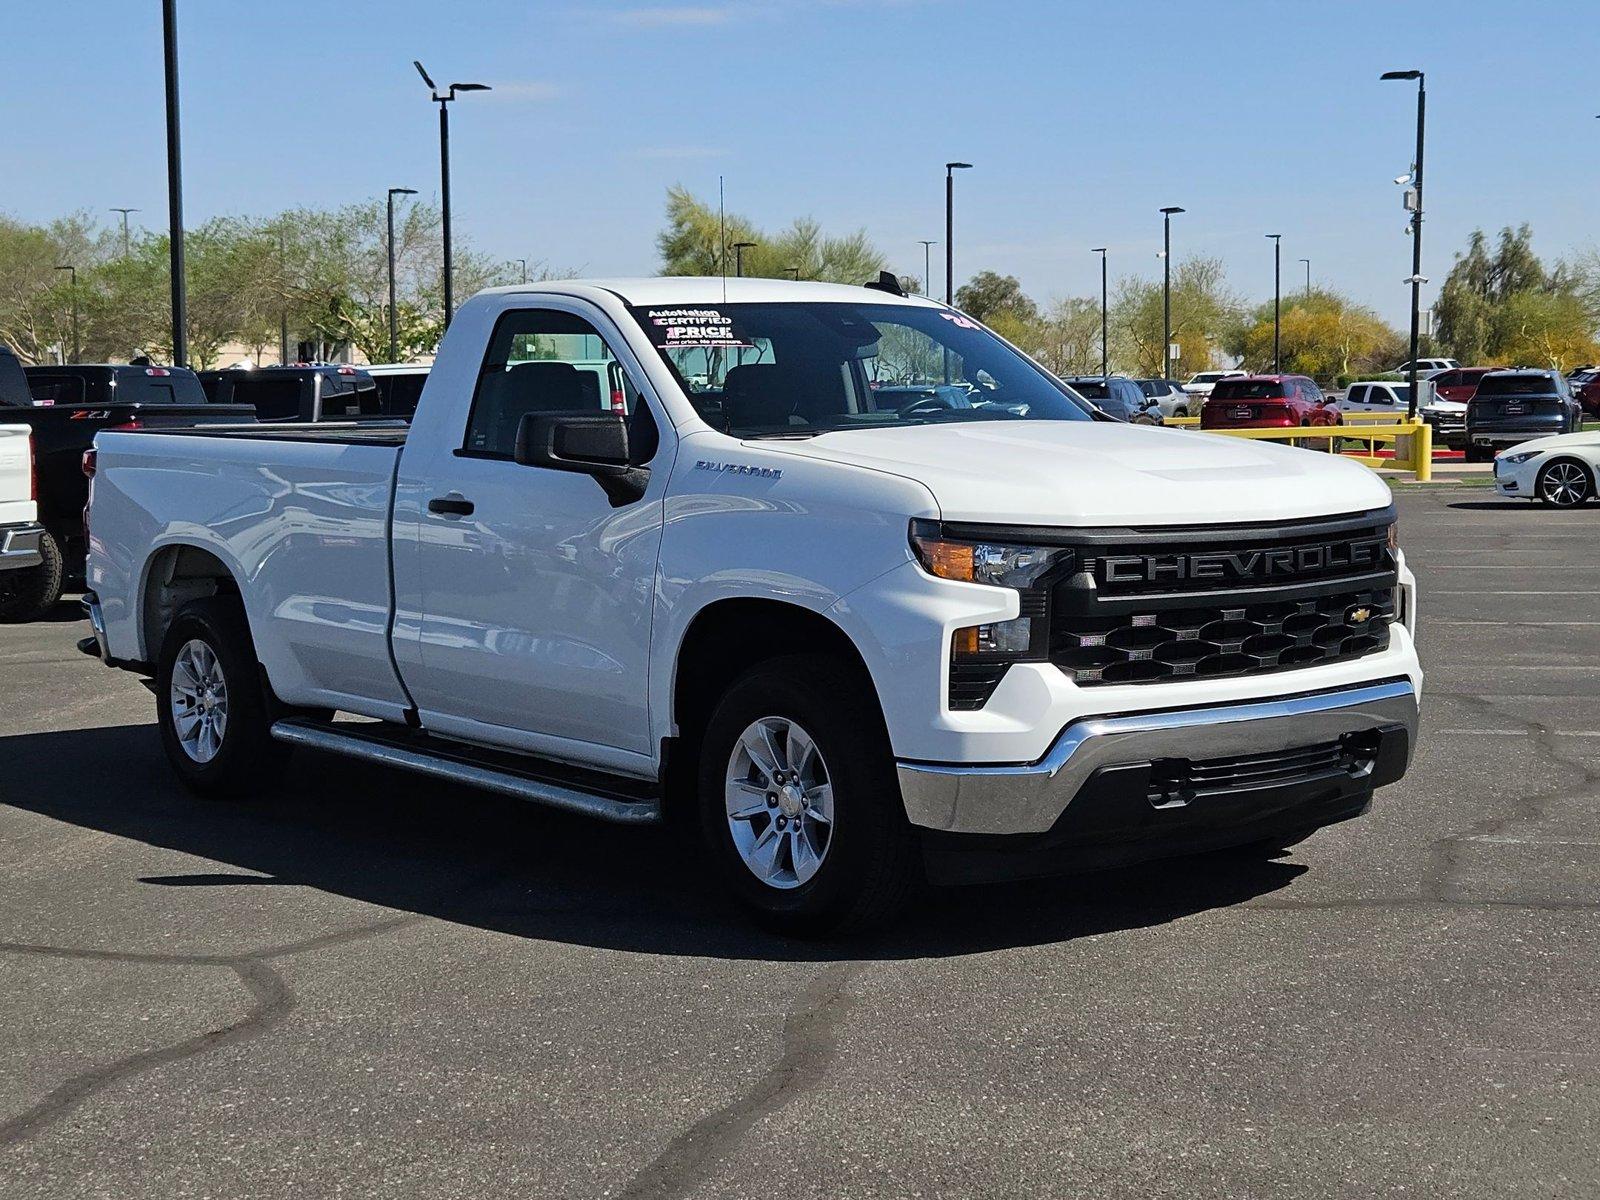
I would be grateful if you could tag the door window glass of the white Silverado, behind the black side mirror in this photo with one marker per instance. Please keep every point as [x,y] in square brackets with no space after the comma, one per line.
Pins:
[543,361]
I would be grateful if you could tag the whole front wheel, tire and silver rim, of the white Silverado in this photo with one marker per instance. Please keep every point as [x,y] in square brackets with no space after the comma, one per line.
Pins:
[801,806]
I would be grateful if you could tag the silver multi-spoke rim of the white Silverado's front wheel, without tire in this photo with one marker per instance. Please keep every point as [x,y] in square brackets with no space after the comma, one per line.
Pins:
[780,802]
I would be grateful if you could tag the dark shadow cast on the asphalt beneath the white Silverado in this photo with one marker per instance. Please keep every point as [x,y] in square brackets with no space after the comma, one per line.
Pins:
[460,855]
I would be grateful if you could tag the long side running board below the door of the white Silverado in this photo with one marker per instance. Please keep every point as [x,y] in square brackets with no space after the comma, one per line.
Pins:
[458,764]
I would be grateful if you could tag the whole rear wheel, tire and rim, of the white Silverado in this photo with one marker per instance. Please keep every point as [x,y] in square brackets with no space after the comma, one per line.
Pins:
[212,705]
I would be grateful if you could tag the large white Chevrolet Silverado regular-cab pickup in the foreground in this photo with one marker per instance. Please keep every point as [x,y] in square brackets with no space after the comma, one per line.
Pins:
[844,578]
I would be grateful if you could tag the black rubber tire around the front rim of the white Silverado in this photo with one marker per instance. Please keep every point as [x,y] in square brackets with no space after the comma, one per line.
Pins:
[870,866]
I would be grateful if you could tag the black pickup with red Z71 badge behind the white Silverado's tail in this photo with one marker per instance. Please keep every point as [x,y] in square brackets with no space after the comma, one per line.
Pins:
[68,407]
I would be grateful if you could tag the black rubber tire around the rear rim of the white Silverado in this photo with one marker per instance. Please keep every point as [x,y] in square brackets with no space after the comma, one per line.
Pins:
[246,759]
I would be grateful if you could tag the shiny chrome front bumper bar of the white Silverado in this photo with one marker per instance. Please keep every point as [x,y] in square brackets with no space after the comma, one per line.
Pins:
[1031,798]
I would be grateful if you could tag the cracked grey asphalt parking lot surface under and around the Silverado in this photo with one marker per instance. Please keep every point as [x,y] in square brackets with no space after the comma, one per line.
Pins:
[372,986]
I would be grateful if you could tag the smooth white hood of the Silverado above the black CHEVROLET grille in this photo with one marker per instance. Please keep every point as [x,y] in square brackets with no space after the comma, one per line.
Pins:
[1076,473]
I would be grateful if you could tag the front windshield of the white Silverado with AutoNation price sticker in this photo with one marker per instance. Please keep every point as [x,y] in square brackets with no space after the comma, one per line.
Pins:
[798,370]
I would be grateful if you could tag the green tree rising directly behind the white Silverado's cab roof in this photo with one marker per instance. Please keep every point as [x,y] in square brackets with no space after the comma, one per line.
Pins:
[692,244]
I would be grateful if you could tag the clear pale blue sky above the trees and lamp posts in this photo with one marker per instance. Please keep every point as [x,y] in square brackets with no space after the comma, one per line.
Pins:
[1082,121]
